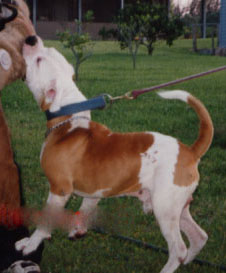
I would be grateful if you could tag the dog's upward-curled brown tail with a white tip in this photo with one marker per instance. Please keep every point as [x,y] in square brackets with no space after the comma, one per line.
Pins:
[205,137]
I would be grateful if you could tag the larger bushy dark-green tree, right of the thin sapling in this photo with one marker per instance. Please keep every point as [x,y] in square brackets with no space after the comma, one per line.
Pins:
[145,23]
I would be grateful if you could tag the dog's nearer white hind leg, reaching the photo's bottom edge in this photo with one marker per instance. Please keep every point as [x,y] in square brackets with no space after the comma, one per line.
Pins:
[168,214]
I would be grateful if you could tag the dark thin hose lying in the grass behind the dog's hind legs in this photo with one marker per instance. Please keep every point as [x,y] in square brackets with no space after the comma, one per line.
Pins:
[159,249]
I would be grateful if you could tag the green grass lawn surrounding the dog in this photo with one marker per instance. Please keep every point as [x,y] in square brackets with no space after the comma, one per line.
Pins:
[110,71]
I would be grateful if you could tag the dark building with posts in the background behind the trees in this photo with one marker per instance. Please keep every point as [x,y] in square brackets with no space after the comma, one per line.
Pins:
[52,15]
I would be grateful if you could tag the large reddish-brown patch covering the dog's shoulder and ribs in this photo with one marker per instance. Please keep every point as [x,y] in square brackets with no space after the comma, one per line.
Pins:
[88,160]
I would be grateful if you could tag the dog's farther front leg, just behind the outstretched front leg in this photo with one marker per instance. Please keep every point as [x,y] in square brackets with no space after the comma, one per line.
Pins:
[84,217]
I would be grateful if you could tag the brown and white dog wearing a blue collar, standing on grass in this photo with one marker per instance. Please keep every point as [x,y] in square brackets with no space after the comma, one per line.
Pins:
[86,158]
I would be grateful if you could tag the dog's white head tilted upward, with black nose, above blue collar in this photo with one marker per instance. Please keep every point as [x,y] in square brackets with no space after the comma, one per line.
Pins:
[48,74]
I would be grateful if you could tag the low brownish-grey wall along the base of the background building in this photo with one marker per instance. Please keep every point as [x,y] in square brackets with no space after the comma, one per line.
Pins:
[48,29]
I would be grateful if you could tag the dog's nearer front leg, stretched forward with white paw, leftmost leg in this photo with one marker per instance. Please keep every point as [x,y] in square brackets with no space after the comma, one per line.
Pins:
[43,231]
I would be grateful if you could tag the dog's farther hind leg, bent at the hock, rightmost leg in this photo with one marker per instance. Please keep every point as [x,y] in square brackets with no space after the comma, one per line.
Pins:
[197,237]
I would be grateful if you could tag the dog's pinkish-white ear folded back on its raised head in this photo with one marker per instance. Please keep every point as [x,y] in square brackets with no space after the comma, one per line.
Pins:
[53,96]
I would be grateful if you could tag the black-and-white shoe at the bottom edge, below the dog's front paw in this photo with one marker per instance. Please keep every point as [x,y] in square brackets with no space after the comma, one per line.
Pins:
[23,267]
